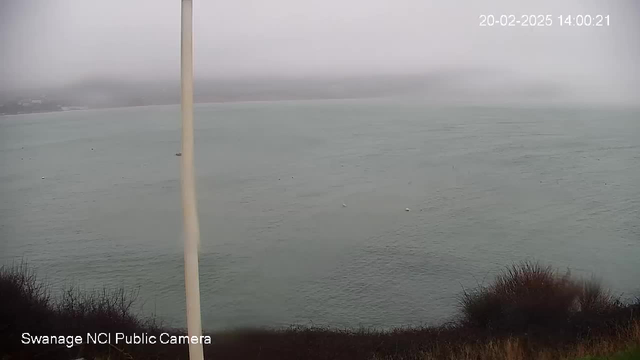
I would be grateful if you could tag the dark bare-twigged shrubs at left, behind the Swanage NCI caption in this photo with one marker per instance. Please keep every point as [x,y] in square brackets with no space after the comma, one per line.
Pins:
[26,306]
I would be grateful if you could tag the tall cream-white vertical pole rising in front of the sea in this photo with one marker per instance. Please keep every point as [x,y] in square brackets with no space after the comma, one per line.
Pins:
[189,204]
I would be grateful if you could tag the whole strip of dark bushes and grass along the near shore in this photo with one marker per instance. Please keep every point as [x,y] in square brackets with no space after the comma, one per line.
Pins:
[529,312]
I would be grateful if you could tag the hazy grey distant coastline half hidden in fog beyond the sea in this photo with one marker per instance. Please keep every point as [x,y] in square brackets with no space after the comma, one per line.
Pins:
[445,87]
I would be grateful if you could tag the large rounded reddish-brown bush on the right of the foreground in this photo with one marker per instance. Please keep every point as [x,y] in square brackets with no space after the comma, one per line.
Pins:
[529,297]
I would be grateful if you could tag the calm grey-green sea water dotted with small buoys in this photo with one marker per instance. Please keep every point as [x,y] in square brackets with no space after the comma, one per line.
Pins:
[486,187]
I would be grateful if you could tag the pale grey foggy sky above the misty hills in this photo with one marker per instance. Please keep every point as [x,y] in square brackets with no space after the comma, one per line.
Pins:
[58,42]
